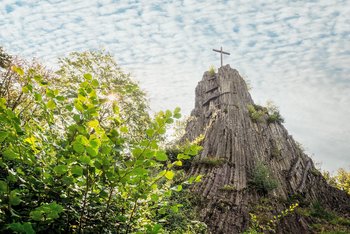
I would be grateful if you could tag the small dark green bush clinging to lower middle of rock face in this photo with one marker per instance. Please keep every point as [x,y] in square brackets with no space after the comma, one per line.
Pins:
[262,179]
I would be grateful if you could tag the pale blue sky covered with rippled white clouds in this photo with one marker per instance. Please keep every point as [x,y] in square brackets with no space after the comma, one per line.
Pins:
[295,53]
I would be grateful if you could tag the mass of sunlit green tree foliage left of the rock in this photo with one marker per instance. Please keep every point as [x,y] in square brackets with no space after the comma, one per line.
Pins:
[68,171]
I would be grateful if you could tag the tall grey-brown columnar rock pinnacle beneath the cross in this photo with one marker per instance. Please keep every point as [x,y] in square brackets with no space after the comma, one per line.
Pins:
[233,148]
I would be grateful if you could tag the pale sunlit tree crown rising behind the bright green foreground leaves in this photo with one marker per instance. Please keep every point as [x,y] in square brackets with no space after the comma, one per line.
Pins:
[114,85]
